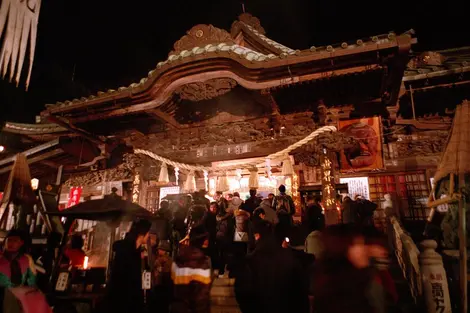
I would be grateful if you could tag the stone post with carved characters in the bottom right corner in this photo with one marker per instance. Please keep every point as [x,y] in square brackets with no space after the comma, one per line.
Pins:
[434,279]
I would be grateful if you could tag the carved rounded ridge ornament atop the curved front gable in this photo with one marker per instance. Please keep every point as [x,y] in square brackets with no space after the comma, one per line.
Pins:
[200,36]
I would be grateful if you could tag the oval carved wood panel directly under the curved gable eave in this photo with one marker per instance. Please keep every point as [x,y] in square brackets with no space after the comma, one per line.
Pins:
[206,90]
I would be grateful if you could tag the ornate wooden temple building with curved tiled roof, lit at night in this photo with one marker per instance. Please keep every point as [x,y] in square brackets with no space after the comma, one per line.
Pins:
[224,98]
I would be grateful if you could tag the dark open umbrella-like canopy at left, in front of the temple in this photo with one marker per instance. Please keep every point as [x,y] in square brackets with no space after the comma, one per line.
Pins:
[108,208]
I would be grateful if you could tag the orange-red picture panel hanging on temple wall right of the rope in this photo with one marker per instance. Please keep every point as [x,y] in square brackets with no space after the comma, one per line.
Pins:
[366,151]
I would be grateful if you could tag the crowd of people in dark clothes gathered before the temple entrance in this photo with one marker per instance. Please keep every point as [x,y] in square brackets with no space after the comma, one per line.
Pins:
[277,265]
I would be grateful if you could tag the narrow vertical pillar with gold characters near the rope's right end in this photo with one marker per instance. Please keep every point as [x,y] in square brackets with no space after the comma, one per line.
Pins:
[328,189]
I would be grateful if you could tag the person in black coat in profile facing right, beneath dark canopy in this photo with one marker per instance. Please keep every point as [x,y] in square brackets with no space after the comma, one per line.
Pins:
[124,293]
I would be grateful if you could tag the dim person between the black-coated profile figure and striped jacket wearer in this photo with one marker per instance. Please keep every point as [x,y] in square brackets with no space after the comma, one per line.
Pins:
[162,284]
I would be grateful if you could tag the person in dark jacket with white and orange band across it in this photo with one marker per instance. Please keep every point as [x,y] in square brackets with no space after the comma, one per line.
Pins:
[191,275]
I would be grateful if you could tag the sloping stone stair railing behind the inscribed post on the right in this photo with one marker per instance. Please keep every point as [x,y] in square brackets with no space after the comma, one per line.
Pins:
[407,255]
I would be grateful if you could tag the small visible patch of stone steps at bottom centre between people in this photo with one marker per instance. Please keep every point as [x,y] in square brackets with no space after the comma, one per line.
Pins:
[223,296]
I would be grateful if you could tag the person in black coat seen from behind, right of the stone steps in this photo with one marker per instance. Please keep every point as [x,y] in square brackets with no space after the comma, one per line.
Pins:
[271,280]
